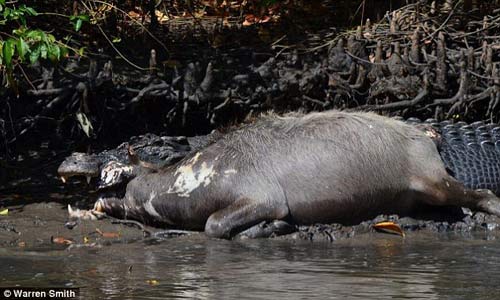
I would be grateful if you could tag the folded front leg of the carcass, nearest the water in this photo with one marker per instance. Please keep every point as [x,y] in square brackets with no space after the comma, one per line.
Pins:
[240,215]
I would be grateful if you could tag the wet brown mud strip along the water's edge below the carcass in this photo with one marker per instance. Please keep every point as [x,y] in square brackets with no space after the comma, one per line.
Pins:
[41,227]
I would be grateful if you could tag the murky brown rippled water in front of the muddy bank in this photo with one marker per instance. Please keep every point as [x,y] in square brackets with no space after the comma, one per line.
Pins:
[375,266]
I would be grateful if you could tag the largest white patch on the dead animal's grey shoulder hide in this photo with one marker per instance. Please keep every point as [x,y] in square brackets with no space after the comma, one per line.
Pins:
[188,180]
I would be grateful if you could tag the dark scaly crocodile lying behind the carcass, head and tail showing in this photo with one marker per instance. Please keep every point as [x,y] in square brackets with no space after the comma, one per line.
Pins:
[470,152]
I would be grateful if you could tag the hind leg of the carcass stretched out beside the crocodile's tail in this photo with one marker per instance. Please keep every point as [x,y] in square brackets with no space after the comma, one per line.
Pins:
[451,192]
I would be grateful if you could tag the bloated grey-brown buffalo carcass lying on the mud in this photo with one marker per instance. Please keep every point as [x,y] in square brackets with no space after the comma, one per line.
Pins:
[316,168]
